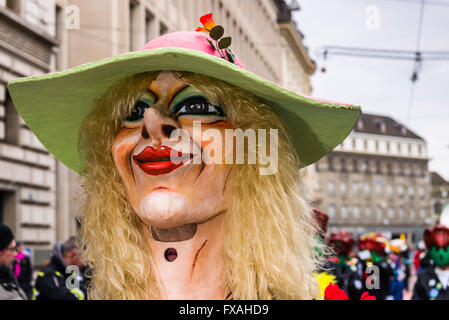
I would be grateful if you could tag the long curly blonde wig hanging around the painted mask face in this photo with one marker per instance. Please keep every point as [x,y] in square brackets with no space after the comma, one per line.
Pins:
[270,234]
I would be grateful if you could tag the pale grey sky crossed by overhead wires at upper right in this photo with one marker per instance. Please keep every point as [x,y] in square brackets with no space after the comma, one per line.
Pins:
[384,86]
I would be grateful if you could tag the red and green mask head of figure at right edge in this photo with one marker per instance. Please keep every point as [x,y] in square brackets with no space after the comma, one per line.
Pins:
[437,241]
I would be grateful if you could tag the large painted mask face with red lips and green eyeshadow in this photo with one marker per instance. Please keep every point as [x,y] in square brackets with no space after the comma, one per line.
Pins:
[167,184]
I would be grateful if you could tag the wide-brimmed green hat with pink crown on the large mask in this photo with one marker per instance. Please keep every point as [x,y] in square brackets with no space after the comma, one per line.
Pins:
[54,105]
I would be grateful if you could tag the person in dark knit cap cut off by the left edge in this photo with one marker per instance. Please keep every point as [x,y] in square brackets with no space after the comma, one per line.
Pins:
[9,286]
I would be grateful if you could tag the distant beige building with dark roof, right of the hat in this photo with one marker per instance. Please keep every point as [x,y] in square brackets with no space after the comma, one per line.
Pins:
[377,180]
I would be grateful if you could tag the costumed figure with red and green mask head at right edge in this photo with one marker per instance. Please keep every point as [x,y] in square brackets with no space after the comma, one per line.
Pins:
[432,282]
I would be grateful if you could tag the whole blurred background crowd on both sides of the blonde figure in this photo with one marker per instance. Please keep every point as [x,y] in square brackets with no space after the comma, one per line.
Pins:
[387,269]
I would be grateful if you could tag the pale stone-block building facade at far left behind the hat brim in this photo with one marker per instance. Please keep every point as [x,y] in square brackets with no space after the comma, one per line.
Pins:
[28,184]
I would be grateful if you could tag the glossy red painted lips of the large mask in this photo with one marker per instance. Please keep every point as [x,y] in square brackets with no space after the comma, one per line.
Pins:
[158,161]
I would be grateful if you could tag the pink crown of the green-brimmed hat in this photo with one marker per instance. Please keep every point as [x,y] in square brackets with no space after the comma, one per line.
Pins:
[192,40]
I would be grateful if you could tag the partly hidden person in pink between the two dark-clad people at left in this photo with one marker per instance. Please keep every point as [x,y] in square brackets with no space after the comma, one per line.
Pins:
[23,270]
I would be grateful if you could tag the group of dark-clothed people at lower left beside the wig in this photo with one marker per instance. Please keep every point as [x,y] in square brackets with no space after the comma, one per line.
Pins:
[63,277]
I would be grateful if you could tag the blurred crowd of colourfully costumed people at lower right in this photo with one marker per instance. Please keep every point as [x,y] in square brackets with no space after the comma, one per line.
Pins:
[388,269]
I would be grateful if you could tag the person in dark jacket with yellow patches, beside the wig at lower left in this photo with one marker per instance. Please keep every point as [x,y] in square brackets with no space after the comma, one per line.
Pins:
[53,282]
